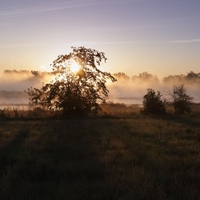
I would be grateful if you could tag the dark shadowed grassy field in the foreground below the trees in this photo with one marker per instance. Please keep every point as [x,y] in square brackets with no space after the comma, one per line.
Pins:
[122,155]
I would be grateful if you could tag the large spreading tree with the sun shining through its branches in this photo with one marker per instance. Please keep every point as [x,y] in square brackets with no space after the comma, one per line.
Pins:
[74,92]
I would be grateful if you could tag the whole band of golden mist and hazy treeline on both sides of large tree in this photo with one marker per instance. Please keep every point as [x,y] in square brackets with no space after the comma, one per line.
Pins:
[128,90]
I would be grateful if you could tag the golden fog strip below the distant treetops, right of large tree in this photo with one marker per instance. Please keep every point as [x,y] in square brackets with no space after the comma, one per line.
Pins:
[133,92]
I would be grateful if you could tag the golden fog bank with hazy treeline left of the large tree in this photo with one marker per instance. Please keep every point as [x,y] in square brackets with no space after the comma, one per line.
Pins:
[14,83]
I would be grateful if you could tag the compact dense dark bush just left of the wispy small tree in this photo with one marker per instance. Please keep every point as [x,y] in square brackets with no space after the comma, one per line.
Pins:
[153,104]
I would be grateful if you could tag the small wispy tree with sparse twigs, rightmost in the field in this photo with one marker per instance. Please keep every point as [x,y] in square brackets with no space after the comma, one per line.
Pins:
[181,100]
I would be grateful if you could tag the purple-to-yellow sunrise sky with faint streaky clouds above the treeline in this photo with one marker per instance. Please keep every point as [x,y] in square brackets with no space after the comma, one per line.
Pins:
[161,37]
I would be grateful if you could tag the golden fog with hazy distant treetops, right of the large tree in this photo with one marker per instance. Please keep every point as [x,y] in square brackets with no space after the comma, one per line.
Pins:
[130,90]
